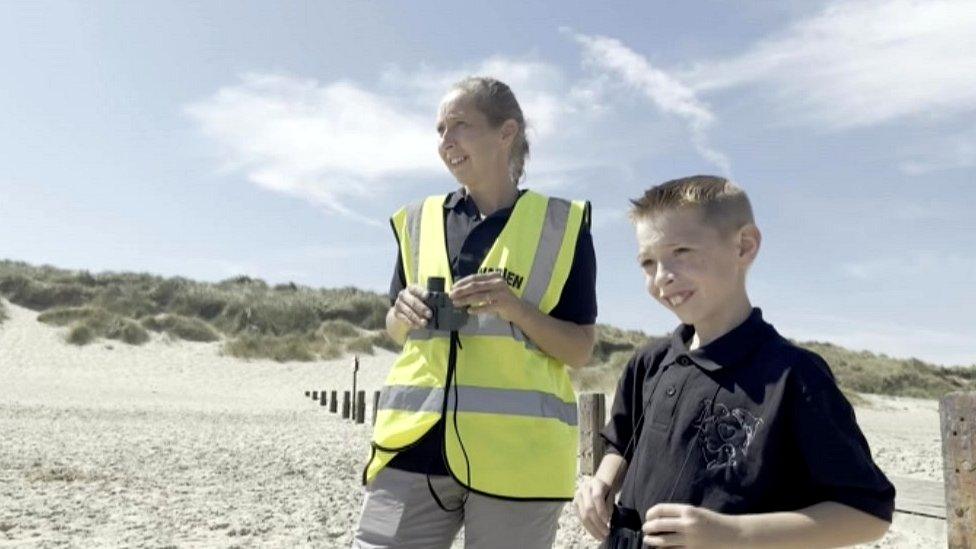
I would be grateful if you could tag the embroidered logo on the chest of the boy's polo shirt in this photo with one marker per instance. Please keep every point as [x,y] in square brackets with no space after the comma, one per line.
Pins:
[725,435]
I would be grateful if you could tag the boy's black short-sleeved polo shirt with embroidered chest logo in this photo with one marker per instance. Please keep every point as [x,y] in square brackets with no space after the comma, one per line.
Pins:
[749,423]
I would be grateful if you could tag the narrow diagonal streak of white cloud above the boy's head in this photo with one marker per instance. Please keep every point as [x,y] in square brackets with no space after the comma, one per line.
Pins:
[666,92]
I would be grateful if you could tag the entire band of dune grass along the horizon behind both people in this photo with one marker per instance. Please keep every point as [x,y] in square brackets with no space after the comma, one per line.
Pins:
[292,322]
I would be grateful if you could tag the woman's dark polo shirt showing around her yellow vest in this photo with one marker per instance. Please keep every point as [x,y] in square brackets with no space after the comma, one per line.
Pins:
[469,238]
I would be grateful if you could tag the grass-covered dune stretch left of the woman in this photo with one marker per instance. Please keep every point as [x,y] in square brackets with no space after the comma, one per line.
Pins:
[254,320]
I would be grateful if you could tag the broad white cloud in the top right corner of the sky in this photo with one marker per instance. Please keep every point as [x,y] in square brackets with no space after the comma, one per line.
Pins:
[861,63]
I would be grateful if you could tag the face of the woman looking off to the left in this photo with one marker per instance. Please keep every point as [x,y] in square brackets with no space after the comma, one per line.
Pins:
[473,151]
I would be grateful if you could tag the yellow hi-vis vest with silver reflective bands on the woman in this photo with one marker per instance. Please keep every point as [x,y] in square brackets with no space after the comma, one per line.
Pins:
[514,434]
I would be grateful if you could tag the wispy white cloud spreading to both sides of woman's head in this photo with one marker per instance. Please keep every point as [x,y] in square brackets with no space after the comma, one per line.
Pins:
[335,142]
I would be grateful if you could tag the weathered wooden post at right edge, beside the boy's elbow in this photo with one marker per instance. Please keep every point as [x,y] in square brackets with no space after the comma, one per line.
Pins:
[957,412]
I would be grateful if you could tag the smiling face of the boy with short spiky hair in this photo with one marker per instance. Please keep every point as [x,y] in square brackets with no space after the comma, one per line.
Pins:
[690,267]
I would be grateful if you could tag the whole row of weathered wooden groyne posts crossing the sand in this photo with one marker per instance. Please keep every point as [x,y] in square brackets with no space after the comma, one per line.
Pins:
[916,499]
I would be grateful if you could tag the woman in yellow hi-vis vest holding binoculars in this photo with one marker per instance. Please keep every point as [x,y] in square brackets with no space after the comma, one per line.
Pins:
[477,422]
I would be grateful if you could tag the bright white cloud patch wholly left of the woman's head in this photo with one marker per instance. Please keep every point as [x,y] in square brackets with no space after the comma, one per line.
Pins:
[320,142]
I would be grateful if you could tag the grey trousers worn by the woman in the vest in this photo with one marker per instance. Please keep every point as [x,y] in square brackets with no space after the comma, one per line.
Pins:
[399,511]
